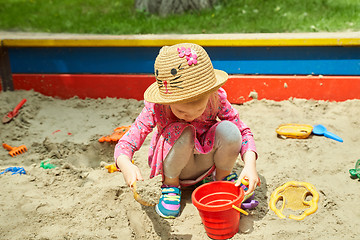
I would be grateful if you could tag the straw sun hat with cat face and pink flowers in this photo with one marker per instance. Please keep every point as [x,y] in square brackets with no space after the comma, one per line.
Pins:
[183,73]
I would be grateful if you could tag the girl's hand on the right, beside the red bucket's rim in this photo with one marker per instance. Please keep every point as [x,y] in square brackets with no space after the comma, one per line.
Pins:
[249,172]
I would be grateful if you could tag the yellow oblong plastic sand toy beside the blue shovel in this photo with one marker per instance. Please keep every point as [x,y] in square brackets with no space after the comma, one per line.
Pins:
[293,130]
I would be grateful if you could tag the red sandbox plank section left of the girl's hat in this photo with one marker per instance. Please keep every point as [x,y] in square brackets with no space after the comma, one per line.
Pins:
[85,85]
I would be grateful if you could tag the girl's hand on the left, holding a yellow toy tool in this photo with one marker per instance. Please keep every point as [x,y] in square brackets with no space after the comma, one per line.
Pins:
[131,172]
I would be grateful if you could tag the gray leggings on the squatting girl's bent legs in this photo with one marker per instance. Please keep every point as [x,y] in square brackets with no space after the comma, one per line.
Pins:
[182,162]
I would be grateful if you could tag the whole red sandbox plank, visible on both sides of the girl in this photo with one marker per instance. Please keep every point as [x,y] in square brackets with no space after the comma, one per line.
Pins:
[238,87]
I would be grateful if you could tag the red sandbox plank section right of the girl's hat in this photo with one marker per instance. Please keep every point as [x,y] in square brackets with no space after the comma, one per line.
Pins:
[332,88]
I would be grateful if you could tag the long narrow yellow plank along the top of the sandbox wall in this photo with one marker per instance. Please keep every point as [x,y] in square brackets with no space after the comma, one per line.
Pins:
[161,42]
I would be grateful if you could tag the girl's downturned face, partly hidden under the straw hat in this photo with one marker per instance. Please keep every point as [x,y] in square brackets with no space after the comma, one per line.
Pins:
[190,110]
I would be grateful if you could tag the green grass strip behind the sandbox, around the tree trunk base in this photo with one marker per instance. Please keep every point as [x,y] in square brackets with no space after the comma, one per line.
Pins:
[232,16]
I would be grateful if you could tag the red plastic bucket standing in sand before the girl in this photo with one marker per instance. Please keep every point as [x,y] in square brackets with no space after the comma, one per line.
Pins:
[214,202]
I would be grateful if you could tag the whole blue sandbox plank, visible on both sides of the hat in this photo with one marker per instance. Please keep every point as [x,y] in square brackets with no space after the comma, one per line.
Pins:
[234,60]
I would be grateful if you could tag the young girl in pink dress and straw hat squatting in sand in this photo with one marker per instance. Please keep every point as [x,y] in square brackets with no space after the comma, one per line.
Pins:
[198,133]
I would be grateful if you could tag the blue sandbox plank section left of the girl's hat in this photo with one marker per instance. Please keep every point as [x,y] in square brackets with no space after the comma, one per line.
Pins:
[82,60]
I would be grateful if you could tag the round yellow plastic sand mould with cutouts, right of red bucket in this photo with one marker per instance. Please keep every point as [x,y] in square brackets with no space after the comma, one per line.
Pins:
[293,195]
